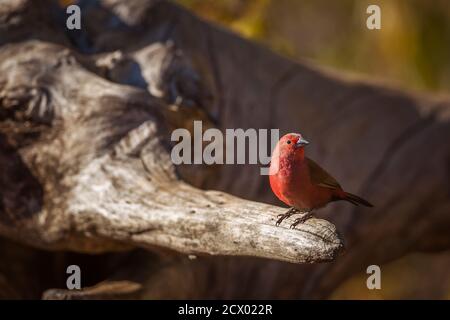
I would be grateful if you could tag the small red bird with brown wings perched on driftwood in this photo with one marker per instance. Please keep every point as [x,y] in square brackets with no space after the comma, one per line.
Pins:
[301,183]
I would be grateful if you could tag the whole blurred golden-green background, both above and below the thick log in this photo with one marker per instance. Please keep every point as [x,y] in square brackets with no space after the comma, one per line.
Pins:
[411,51]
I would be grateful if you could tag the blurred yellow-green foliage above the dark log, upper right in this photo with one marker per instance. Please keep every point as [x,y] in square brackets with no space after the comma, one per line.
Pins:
[412,49]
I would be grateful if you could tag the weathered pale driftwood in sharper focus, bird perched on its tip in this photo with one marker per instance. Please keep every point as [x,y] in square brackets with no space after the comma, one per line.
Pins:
[114,184]
